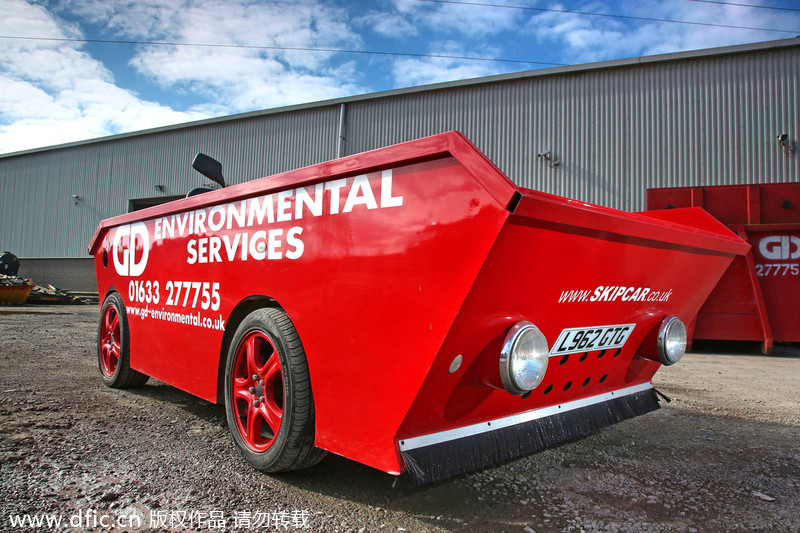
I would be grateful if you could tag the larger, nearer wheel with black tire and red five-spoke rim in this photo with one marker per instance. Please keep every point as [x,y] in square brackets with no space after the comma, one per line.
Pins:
[283,387]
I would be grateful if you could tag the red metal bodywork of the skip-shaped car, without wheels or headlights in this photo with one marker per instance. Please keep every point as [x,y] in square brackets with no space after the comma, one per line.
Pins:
[390,264]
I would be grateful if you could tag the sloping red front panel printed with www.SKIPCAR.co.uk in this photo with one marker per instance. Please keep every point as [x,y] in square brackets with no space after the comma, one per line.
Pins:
[557,276]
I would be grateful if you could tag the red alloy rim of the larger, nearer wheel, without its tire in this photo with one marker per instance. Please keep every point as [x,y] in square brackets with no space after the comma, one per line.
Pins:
[257,391]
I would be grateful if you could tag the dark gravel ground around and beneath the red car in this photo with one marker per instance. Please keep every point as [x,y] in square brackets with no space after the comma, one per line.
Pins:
[723,456]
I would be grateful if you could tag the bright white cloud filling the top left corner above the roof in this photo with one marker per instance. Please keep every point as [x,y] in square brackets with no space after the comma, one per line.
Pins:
[52,92]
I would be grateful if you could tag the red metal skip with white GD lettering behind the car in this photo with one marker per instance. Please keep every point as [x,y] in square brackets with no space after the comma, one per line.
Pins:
[757,298]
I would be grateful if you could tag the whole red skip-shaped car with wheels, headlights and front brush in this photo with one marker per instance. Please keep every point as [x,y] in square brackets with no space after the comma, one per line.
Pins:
[409,308]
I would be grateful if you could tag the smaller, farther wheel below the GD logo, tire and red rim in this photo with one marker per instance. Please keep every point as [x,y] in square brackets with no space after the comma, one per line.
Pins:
[113,346]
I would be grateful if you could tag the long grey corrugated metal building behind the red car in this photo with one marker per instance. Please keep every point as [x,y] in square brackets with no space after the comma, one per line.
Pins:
[616,128]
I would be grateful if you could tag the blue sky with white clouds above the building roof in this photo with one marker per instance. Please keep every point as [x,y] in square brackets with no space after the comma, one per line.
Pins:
[92,68]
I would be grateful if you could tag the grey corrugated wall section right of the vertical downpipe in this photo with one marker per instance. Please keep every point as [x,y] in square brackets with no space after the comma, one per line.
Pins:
[616,132]
